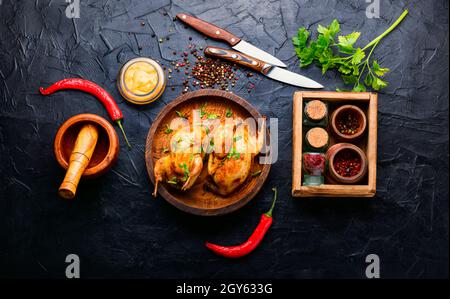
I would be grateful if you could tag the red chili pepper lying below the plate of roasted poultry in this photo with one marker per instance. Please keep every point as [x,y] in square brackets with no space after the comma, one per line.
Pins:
[252,242]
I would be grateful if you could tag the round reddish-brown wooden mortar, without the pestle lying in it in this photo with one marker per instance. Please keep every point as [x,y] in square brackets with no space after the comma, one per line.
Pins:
[105,153]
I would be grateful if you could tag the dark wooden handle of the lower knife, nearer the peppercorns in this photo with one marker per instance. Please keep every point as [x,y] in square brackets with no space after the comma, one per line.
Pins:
[239,58]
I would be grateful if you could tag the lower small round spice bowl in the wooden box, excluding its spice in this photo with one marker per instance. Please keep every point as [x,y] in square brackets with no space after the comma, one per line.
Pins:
[334,150]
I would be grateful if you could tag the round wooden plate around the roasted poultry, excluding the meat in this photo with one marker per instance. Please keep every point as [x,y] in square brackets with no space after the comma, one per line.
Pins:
[199,200]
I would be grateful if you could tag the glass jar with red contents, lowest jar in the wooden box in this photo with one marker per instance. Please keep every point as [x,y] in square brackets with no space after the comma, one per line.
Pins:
[314,165]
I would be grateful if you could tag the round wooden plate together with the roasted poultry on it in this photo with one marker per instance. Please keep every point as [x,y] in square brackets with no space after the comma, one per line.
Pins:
[203,152]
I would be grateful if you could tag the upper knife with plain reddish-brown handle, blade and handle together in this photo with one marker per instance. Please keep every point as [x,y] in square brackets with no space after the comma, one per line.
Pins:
[235,42]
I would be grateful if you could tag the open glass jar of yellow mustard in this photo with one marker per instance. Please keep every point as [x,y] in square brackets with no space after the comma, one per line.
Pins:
[141,81]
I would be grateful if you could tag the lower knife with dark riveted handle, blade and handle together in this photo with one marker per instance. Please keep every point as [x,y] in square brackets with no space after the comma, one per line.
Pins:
[267,69]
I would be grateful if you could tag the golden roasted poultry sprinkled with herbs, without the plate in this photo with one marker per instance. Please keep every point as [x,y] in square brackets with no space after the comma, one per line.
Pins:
[230,144]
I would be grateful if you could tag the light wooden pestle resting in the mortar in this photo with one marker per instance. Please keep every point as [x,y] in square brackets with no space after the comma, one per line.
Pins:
[79,160]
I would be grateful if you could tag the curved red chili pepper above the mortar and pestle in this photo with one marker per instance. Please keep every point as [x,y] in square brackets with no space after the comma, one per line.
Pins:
[90,87]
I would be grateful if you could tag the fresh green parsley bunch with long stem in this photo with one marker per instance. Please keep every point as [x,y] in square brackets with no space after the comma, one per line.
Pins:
[353,63]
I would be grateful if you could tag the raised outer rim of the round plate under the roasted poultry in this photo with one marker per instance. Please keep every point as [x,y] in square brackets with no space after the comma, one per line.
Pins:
[162,190]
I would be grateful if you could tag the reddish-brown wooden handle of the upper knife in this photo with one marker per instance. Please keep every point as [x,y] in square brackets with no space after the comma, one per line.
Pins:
[209,29]
